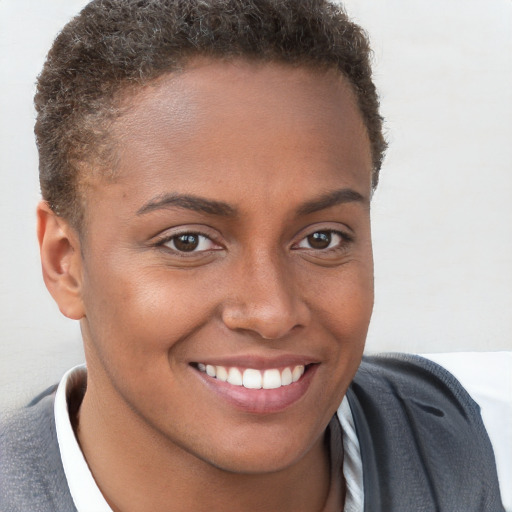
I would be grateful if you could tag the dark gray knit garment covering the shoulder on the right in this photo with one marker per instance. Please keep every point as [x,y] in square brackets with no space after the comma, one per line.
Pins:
[422,438]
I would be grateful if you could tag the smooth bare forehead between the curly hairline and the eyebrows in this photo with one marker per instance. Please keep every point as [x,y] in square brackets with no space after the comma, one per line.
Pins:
[220,121]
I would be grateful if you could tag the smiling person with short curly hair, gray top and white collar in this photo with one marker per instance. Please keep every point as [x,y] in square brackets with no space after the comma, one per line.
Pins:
[206,170]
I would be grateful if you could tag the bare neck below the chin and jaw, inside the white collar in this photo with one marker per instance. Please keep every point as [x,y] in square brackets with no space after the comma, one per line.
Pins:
[139,469]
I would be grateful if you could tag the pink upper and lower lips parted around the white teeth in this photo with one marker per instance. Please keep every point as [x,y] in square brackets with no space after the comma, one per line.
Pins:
[259,401]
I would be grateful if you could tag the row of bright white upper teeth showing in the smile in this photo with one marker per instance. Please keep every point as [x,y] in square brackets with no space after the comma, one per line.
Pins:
[254,379]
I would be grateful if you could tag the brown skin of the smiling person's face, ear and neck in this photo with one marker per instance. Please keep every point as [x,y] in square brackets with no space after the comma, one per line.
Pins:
[275,145]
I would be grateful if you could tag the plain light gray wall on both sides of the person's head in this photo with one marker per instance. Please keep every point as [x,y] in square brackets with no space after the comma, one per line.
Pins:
[442,216]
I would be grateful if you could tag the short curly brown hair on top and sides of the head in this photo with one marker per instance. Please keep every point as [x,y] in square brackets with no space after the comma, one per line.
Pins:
[115,45]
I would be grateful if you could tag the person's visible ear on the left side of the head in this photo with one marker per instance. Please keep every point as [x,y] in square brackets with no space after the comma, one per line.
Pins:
[61,261]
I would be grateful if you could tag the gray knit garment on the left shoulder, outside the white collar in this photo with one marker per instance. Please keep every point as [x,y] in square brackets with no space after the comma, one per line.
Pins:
[31,473]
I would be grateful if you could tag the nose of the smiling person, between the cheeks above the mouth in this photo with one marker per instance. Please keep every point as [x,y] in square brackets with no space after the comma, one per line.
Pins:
[265,299]
